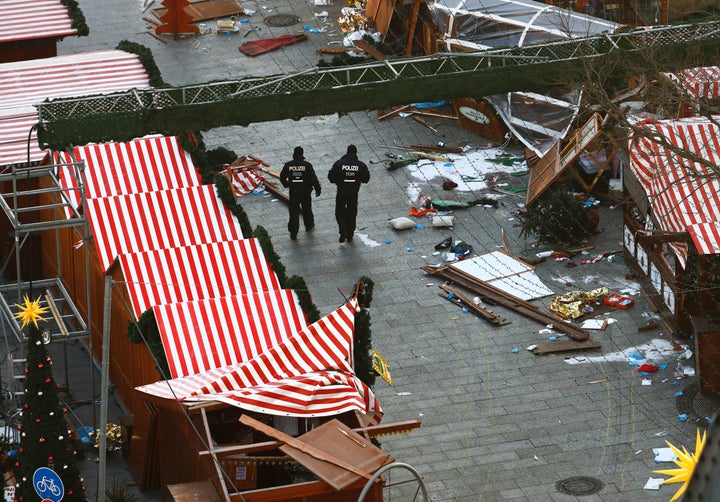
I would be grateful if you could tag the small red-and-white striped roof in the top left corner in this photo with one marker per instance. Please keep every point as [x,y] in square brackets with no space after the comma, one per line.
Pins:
[33,19]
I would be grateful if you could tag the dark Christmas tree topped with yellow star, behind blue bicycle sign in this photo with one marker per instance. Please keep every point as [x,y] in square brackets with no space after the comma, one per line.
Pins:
[45,468]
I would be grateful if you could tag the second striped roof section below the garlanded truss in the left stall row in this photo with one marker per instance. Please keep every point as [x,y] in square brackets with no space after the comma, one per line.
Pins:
[159,220]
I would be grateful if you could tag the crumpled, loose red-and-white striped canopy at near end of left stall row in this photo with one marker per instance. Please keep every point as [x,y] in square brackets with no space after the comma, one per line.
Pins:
[307,375]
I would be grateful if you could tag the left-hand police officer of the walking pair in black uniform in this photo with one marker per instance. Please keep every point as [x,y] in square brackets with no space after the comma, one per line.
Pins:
[299,175]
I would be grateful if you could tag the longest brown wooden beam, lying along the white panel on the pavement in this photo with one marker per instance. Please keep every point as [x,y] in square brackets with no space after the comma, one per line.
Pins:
[522,307]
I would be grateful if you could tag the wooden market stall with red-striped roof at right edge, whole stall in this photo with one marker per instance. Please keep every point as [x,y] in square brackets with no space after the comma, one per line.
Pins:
[672,230]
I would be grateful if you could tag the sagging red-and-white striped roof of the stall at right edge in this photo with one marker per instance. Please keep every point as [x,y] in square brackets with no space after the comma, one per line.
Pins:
[684,194]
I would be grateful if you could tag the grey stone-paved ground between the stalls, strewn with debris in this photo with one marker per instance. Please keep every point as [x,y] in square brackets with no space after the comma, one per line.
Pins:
[497,424]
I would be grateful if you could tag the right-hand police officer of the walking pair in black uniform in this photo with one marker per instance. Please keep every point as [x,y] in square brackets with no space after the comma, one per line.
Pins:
[347,173]
